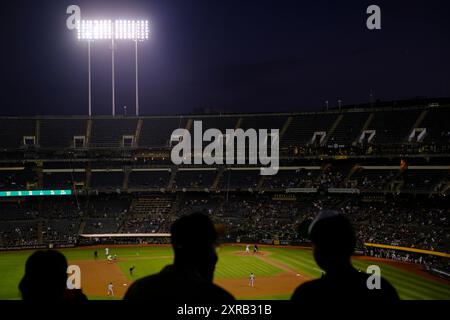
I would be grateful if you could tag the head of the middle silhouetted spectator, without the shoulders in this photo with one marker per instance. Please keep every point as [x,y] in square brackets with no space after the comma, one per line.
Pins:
[194,241]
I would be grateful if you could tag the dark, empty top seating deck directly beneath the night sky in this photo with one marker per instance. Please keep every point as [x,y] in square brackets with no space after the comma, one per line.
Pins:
[428,125]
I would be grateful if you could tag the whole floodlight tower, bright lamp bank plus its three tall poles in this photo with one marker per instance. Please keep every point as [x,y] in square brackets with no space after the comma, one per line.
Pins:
[91,30]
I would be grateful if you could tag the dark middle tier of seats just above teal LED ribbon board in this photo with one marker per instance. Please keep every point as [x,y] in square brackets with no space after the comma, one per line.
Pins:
[345,176]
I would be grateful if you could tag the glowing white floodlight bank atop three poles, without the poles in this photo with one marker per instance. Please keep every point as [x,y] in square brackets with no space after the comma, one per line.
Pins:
[104,29]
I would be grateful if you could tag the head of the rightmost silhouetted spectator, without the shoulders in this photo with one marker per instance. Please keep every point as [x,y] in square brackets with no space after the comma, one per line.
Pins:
[333,240]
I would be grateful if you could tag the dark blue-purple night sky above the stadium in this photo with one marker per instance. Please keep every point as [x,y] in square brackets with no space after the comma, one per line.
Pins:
[238,56]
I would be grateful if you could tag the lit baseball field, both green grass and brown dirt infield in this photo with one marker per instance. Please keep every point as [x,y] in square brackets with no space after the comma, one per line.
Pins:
[278,271]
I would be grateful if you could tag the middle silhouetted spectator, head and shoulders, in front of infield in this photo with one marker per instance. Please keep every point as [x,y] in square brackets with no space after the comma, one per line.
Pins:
[194,240]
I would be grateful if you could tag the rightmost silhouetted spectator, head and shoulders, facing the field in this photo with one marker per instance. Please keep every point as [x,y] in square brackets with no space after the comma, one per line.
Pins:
[334,241]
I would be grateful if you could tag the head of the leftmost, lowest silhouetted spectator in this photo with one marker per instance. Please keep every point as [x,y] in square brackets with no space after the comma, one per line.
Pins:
[45,276]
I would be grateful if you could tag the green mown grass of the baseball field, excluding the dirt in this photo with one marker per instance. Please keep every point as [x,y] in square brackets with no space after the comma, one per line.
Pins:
[148,260]
